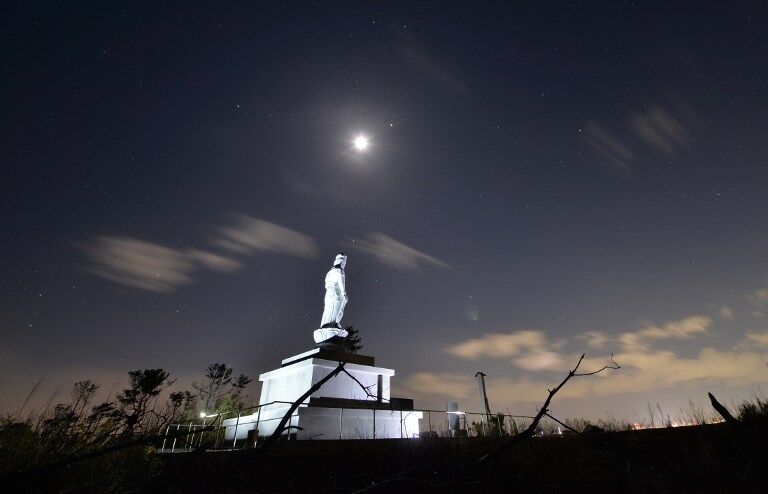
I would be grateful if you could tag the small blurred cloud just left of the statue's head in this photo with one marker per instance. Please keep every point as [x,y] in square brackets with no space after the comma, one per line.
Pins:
[248,235]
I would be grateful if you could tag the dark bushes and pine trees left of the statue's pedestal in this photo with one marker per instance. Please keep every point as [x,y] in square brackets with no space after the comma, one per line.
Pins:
[110,445]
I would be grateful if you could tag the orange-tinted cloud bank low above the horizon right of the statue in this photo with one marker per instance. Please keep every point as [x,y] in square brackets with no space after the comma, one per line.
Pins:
[644,365]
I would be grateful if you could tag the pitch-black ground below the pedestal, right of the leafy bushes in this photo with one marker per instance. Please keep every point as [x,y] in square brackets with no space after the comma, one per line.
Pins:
[708,458]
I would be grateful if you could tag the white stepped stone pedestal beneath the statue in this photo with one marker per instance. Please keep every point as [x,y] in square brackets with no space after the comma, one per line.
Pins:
[340,409]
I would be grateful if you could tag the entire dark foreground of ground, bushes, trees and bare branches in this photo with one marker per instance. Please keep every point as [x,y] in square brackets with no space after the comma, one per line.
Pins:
[83,447]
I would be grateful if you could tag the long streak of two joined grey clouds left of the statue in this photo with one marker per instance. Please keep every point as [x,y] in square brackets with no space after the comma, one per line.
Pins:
[146,265]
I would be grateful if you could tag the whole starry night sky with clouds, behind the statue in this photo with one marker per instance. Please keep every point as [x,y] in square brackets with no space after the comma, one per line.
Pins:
[542,180]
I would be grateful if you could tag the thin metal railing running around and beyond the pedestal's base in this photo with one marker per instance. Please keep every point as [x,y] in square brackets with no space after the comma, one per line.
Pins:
[433,423]
